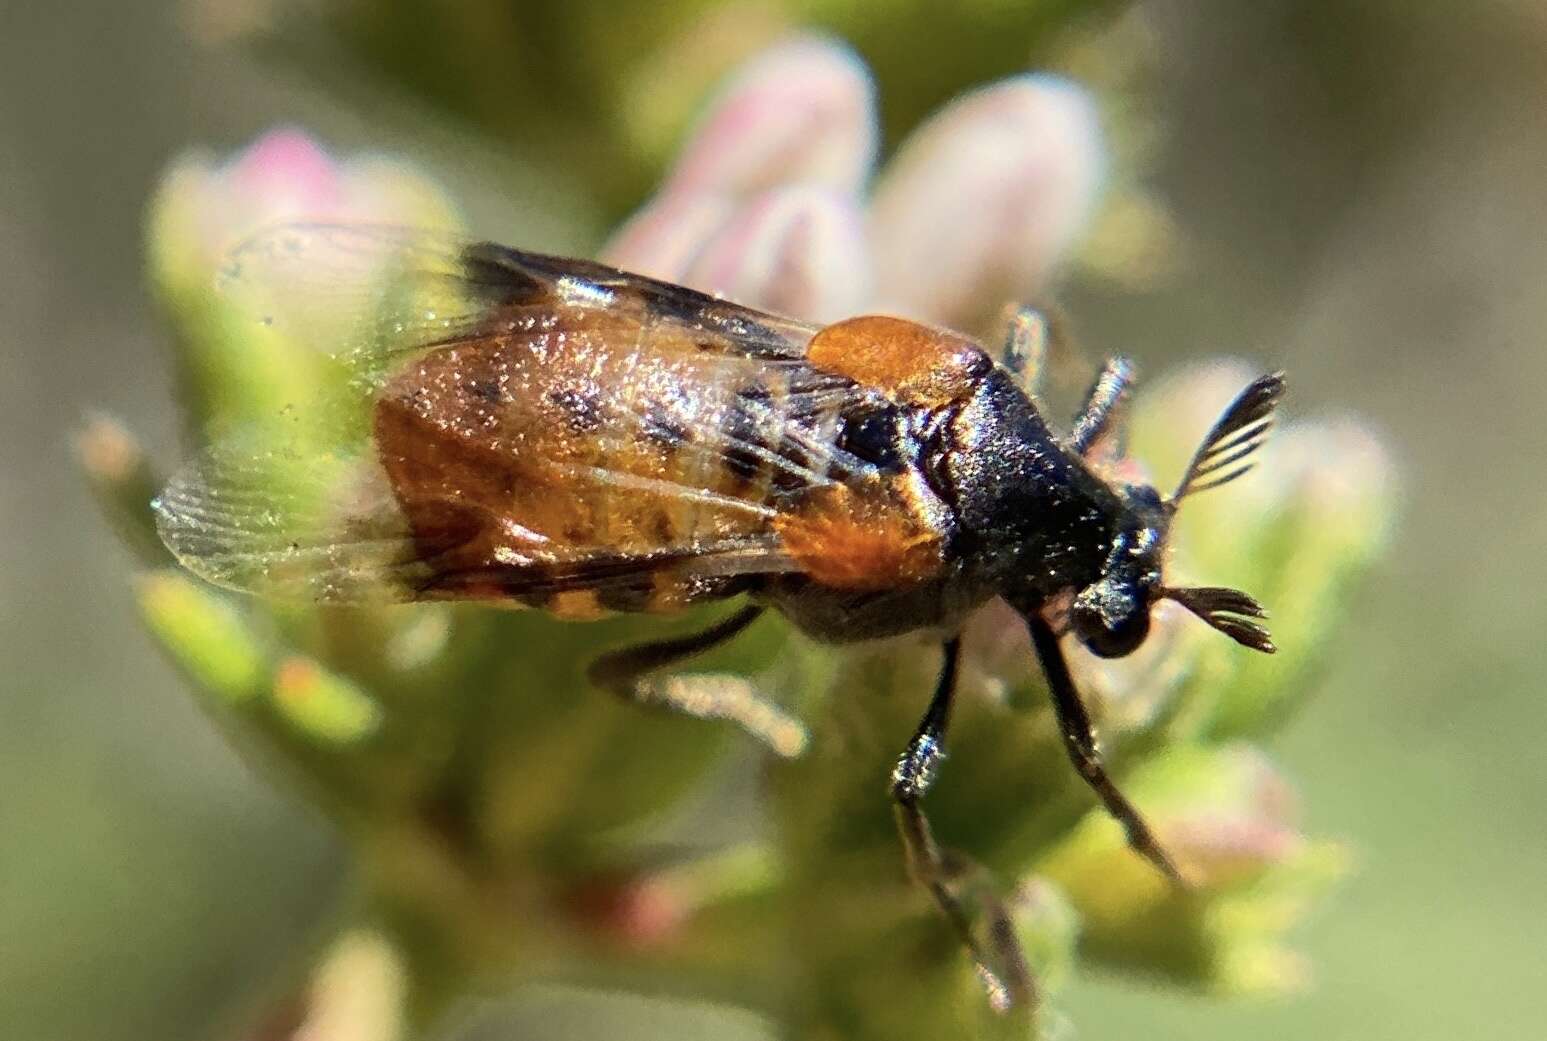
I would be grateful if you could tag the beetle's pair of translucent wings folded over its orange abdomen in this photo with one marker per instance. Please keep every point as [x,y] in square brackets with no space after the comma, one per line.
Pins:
[530,426]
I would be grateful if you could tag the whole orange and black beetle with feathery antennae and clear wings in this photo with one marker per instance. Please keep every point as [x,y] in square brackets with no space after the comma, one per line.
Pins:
[562,435]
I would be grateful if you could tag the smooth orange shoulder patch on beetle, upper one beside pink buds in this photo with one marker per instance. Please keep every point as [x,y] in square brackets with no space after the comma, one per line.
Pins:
[910,363]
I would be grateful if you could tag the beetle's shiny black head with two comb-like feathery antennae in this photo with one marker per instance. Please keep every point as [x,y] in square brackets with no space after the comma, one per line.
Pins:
[1112,615]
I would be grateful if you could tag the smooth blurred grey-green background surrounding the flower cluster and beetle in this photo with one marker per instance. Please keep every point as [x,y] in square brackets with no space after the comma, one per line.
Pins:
[1361,199]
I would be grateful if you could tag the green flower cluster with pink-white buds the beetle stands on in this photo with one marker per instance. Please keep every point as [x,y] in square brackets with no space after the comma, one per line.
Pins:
[507,819]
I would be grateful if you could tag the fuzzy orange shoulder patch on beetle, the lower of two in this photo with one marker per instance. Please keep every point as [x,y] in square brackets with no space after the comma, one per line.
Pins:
[850,541]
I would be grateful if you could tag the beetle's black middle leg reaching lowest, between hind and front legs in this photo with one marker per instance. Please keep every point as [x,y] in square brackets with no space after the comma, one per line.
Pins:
[954,881]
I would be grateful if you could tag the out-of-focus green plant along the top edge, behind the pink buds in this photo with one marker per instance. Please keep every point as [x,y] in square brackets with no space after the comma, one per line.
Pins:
[582,80]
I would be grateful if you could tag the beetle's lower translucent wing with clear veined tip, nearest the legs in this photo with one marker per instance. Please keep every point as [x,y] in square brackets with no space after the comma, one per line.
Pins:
[329,527]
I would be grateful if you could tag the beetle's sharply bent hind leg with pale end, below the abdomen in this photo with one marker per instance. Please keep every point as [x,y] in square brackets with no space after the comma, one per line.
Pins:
[626,672]
